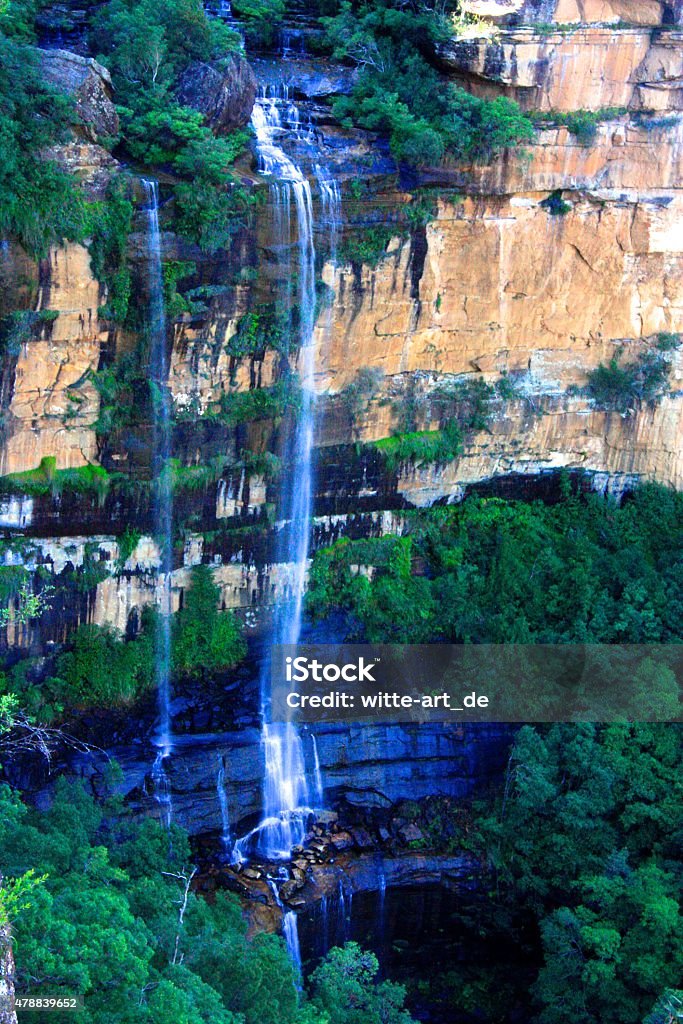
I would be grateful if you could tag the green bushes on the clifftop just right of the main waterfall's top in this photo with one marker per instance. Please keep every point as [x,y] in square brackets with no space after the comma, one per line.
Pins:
[400,95]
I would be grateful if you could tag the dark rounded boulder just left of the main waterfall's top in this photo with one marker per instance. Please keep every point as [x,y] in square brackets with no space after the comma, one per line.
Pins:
[225,95]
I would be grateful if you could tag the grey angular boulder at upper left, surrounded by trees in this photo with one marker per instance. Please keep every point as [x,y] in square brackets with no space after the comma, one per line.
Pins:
[90,84]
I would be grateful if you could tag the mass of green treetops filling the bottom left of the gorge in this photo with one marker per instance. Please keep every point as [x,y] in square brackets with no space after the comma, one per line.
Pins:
[113,915]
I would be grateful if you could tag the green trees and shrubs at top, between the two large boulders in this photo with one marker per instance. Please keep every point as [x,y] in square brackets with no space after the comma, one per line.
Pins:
[148,47]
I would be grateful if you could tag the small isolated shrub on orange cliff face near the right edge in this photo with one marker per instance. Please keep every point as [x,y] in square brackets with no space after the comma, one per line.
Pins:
[621,387]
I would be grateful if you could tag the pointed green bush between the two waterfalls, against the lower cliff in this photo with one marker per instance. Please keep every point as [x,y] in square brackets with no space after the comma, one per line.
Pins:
[205,642]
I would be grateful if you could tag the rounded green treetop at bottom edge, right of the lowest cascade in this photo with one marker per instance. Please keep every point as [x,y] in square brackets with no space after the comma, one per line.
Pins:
[346,989]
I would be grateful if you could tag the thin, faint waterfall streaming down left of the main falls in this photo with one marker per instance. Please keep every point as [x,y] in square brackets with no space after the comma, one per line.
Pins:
[163,510]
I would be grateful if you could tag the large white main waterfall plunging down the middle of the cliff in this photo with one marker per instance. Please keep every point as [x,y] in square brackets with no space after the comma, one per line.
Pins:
[286,797]
